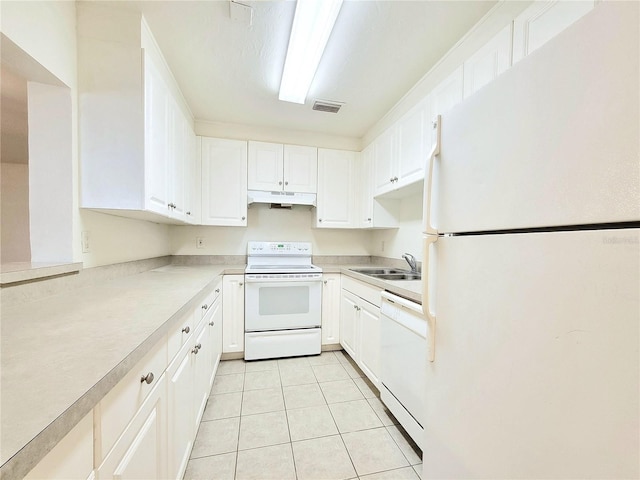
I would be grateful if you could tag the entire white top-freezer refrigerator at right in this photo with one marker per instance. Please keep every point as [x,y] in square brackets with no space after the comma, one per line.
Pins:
[531,265]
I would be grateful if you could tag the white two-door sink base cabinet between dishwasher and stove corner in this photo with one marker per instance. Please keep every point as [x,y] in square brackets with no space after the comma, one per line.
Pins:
[360,326]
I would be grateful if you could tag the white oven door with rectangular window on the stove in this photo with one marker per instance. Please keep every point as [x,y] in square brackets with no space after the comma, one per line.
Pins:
[282,303]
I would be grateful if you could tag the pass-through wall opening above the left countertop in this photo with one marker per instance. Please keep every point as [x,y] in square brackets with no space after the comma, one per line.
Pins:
[35,160]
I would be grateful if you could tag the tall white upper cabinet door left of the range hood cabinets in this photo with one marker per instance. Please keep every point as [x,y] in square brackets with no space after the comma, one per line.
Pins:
[224,182]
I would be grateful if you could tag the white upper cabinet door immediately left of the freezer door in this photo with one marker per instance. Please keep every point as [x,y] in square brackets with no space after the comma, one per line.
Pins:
[412,143]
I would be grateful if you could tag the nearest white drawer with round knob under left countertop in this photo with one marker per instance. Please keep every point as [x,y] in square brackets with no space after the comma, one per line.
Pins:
[119,406]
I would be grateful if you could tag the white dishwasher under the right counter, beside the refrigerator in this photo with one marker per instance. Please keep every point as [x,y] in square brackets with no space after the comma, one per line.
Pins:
[403,362]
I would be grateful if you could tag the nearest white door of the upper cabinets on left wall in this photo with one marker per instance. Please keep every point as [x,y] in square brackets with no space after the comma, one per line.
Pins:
[156,134]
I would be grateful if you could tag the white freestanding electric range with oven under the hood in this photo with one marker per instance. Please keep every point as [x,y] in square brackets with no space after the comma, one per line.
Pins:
[283,298]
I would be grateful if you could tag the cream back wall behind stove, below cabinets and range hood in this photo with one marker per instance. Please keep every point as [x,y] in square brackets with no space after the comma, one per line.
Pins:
[269,225]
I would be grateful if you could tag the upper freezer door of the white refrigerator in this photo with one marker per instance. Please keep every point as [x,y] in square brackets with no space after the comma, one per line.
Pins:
[552,141]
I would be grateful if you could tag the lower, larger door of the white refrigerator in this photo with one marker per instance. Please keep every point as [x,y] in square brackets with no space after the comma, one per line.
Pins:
[536,371]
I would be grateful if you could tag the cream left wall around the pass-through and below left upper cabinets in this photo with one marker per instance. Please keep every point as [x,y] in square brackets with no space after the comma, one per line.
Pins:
[47,32]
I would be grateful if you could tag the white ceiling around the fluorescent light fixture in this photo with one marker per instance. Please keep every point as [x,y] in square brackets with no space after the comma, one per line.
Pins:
[230,72]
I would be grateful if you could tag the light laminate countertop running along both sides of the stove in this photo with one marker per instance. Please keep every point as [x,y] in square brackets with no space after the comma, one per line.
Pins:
[62,354]
